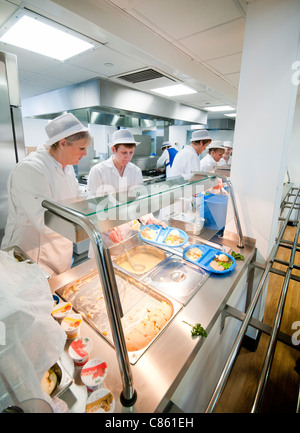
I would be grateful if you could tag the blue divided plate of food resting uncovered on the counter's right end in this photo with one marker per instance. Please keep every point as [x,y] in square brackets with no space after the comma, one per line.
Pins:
[210,259]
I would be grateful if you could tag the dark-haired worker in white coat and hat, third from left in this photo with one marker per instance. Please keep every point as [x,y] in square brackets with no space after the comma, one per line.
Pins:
[187,159]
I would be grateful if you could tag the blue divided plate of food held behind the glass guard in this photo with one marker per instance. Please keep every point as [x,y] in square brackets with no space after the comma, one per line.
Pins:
[169,236]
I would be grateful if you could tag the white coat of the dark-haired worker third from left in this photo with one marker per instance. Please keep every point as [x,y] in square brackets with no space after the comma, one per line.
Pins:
[185,162]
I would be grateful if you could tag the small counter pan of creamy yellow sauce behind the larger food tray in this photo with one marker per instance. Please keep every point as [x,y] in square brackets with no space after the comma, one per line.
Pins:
[146,255]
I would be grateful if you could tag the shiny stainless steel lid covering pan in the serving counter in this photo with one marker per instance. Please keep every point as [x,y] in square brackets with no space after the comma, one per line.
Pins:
[178,279]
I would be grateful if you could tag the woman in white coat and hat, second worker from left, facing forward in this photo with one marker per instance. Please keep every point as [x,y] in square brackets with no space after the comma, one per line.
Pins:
[118,174]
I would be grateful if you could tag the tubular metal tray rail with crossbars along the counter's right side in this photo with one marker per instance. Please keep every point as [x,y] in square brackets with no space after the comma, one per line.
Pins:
[246,318]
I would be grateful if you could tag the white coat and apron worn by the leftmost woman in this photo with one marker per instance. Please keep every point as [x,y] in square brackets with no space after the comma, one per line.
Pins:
[37,177]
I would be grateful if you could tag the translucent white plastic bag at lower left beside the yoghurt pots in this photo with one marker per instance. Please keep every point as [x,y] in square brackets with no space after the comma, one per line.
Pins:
[31,341]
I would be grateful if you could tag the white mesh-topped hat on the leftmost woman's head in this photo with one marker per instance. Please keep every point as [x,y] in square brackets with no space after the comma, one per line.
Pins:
[62,127]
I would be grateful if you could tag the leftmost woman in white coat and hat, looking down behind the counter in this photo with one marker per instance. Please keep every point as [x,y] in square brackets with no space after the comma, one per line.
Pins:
[47,173]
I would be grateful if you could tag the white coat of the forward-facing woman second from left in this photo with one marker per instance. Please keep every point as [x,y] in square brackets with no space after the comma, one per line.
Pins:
[105,178]
